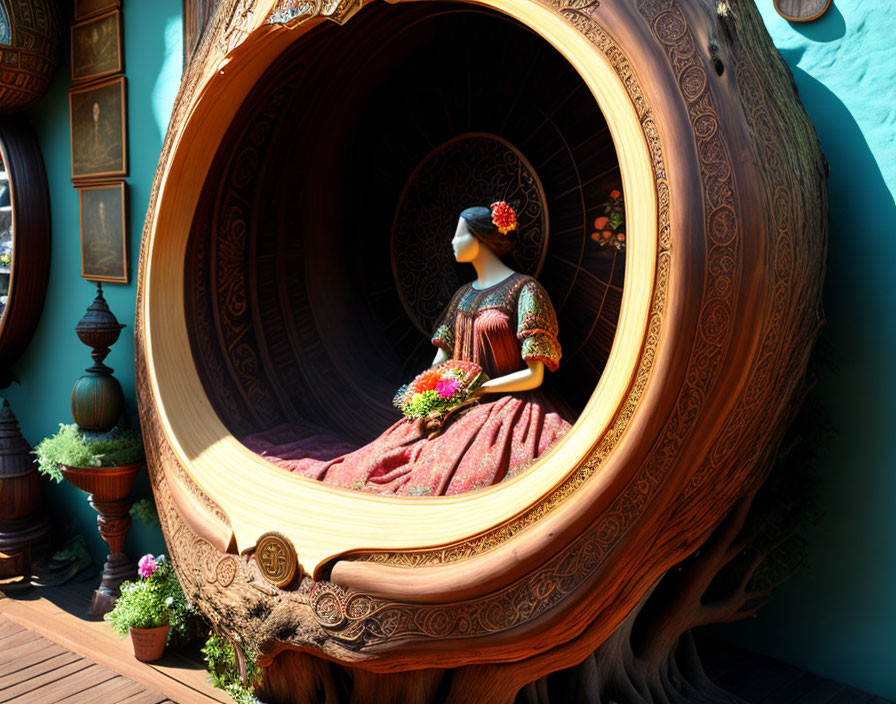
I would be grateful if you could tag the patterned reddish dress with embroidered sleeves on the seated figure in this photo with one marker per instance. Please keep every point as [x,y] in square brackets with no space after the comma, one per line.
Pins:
[499,328]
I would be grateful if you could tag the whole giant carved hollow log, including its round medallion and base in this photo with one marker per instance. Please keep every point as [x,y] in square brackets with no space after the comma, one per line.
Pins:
[726,225]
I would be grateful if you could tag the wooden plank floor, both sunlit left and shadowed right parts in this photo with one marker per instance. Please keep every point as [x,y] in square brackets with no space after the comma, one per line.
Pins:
[51,652]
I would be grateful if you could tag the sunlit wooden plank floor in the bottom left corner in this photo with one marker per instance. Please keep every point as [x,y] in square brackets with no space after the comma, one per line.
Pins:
[50,651]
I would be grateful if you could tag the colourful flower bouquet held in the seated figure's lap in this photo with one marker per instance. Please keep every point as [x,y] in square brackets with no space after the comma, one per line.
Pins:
[437,392]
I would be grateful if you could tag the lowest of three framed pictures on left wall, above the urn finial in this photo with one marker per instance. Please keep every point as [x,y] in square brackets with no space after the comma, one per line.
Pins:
[102,216]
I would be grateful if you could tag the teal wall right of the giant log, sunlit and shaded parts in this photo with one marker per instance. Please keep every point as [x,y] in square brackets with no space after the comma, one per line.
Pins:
[838,617]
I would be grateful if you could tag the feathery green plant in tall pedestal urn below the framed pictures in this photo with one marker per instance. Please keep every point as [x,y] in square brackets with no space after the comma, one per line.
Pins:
[76,448]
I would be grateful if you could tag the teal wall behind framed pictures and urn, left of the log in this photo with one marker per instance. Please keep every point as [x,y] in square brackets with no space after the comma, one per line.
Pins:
[55,357]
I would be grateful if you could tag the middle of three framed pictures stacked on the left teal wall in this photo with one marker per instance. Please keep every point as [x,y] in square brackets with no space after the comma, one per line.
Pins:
[99,130]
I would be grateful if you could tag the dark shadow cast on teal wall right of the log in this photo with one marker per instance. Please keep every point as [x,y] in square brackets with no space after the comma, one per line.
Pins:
[844,597]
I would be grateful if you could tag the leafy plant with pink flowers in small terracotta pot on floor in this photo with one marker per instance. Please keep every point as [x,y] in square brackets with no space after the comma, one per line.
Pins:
[154,600]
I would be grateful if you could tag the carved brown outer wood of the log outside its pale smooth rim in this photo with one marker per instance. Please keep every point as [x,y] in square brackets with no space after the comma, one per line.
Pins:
[691,371]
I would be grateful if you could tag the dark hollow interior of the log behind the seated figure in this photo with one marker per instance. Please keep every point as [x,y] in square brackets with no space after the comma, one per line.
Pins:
[319,259]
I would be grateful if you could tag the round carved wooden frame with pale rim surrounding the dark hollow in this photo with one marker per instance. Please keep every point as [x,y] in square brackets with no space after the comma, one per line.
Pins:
[711,347]
